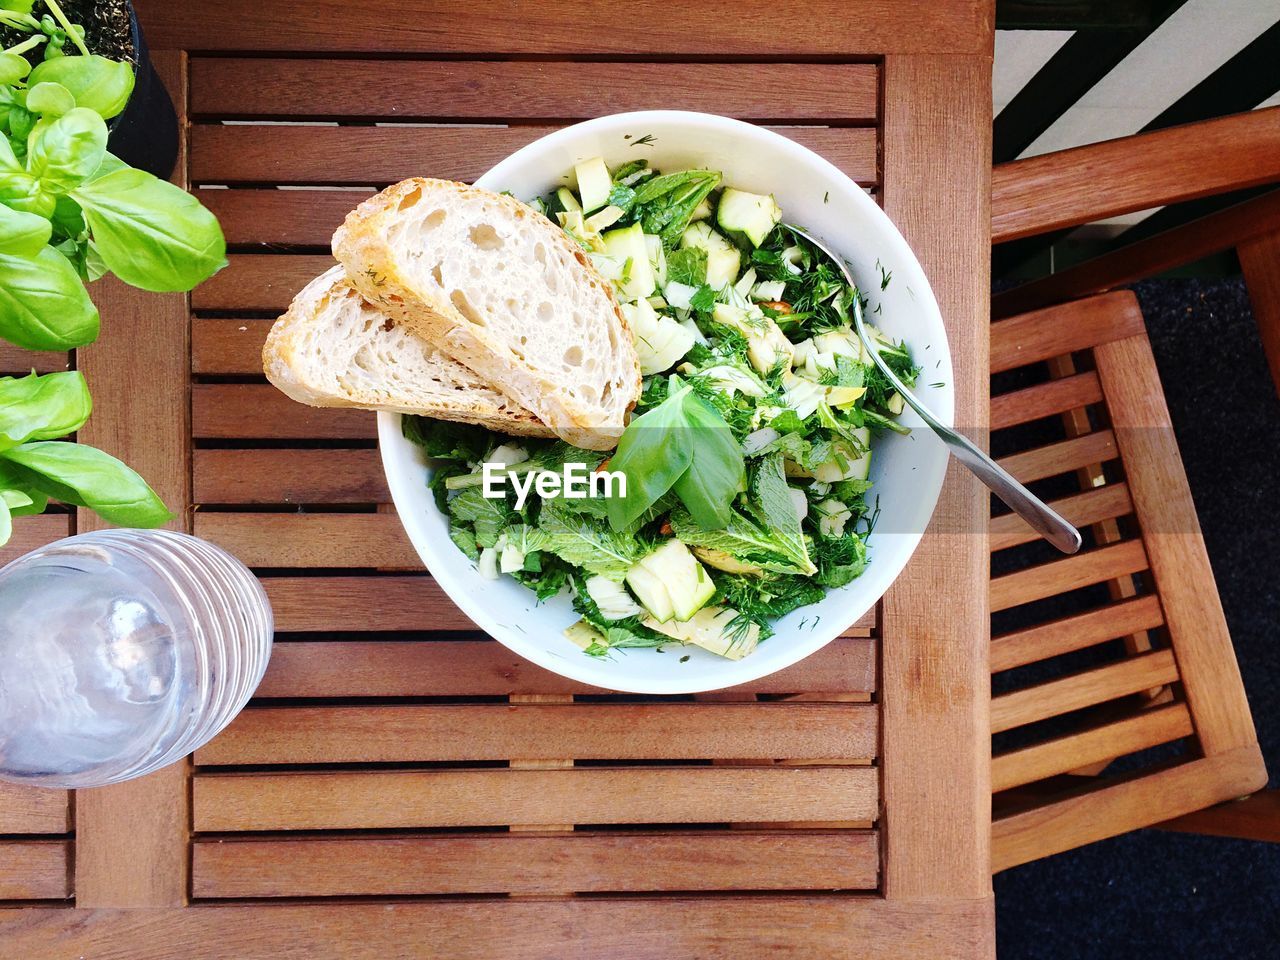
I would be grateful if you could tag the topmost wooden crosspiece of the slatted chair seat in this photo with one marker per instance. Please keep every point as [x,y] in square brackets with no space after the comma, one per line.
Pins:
[1067,328]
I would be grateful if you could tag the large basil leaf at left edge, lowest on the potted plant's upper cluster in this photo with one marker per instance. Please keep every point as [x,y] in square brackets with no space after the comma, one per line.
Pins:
[44,304]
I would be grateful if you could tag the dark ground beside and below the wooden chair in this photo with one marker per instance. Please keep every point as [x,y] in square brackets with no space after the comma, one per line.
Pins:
[1172,895]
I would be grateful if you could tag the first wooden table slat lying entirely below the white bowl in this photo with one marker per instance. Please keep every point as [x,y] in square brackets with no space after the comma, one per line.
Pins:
[687,732]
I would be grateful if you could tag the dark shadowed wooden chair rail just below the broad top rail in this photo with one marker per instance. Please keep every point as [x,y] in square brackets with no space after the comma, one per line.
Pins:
[1182,245]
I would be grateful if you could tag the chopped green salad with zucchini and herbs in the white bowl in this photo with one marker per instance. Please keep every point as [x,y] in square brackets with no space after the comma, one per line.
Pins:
[748,455]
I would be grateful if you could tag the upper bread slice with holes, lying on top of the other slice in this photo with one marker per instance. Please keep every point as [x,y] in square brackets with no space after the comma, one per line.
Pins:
[499,286]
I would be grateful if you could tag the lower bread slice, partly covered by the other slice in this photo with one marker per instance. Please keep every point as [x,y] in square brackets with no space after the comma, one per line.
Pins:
[335,350]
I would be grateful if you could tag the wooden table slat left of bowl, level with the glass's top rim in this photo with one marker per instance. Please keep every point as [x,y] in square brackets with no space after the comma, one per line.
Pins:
[312,540]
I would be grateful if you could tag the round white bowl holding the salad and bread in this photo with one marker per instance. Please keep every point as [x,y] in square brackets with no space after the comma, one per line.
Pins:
[907,470]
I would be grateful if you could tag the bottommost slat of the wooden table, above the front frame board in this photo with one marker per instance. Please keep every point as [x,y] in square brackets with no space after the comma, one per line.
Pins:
[531,865]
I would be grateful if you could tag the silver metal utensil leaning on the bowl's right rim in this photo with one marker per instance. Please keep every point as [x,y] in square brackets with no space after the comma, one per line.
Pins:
[1043,518]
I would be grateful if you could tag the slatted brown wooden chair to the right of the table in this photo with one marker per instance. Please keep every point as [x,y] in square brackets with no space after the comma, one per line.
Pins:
[1117,698]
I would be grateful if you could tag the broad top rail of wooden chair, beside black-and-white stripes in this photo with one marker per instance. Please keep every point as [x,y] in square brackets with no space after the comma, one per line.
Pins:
[1094,182]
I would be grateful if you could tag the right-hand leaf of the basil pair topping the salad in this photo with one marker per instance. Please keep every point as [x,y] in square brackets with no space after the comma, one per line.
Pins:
[716,474]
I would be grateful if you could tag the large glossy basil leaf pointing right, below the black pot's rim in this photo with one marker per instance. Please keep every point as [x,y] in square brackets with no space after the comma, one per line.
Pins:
[150,234]
